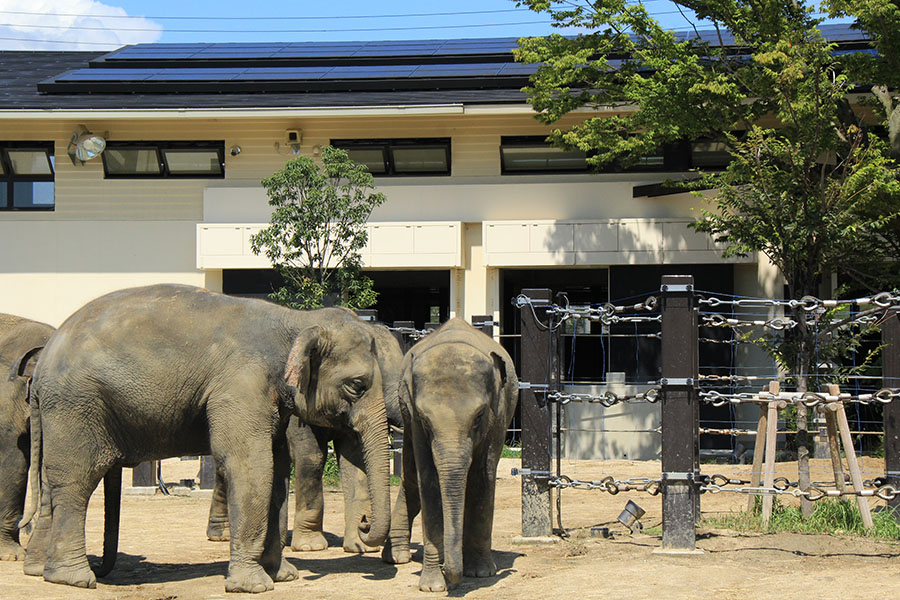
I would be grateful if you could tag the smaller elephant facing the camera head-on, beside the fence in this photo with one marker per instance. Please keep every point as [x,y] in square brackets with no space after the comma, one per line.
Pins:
[458,393]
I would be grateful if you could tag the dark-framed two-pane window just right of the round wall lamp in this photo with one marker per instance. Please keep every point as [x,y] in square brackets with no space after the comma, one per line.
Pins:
[164,159]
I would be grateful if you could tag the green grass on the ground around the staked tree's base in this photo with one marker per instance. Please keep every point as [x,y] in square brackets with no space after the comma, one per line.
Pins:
[831,516]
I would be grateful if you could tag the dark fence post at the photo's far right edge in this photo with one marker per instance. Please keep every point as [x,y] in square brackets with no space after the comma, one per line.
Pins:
[891,379]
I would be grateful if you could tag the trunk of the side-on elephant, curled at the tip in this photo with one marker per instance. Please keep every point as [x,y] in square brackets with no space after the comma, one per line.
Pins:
[373,431]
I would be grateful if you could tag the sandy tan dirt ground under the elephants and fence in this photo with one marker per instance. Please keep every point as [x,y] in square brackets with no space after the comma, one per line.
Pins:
[164,554]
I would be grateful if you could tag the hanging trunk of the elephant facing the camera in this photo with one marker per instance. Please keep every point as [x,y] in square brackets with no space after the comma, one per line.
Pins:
[453,464]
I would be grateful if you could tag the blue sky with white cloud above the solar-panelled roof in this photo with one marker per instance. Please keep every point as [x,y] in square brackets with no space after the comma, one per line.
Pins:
[108,24]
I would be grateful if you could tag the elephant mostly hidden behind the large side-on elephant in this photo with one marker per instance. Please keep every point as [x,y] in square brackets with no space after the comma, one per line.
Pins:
[308,447]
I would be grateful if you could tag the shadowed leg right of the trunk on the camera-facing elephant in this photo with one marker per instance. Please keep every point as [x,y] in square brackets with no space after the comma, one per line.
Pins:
[479,518]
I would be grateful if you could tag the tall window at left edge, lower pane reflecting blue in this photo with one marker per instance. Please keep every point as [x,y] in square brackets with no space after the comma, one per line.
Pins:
[26,176]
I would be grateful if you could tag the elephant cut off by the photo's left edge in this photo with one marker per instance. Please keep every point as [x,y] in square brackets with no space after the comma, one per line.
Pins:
[21,341]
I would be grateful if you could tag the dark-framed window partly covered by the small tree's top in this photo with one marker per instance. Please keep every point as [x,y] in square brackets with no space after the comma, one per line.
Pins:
[402,157]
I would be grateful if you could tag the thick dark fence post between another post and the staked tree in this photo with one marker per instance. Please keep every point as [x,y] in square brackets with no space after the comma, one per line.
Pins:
[680,413]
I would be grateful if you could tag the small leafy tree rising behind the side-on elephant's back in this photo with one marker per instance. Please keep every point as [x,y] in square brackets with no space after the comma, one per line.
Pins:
[317,230]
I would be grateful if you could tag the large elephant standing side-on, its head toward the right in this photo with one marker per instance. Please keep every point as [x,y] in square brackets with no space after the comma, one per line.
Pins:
[171,370]
